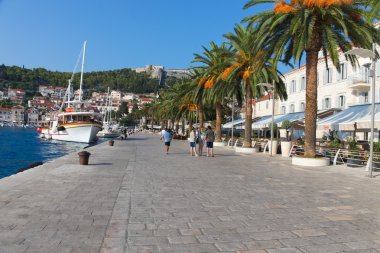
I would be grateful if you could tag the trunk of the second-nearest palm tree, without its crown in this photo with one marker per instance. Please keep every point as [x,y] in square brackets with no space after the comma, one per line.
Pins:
[248,116]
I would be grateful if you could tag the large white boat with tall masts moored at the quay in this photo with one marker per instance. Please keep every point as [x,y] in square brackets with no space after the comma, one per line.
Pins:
[74,121]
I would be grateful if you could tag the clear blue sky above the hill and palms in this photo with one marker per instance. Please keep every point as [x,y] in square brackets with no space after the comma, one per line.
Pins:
[119,33]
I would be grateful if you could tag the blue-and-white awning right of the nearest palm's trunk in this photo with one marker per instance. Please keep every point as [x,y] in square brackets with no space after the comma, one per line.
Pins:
[345,120]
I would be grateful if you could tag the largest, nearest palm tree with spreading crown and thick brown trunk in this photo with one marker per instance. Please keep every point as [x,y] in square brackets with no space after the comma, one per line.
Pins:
[309,26]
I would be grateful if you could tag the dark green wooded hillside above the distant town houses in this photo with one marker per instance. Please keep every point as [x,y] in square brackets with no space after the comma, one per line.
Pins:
[125,80]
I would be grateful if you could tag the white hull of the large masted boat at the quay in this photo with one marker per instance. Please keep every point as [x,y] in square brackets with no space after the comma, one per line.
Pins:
[84,133]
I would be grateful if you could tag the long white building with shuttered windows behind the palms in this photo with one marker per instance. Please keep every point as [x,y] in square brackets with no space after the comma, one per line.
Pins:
[351,86]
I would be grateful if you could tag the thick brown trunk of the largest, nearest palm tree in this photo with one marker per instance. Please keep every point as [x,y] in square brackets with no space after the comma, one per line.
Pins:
[311,102]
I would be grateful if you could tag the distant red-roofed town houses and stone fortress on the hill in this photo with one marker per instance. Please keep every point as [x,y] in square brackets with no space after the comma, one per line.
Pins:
[21,110]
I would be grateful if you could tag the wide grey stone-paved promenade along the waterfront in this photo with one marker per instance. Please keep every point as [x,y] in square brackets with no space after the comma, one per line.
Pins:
[134,198]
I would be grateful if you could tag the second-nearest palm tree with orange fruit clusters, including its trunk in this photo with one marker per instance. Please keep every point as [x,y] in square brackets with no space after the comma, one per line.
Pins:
[251,66]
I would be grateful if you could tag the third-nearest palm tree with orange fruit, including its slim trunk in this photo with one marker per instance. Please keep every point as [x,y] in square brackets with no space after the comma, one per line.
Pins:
[215,60]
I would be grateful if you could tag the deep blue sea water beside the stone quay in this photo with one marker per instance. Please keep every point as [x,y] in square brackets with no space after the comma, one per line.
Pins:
[20,147]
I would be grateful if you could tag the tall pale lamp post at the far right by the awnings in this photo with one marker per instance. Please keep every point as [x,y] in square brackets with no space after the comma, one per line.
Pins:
[366,53]
